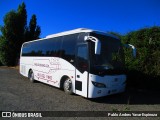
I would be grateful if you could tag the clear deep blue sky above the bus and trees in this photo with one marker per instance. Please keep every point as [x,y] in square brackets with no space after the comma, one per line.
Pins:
[120,16]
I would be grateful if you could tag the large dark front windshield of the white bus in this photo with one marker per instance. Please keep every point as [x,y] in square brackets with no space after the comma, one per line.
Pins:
[111,55]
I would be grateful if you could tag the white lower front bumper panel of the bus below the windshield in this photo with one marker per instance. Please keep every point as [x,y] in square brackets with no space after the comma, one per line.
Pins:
[113,85]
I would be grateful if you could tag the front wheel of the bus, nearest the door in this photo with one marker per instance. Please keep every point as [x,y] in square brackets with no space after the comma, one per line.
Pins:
[67,86]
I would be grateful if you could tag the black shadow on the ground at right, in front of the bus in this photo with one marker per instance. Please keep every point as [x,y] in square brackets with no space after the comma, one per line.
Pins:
[131,97]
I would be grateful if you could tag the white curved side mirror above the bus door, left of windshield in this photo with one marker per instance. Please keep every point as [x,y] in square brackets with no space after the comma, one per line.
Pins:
[97,42]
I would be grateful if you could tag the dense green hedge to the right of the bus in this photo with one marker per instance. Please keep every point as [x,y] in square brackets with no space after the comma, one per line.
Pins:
[144,71]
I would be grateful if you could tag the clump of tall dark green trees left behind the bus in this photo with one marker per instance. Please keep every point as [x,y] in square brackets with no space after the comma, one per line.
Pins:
[14,32]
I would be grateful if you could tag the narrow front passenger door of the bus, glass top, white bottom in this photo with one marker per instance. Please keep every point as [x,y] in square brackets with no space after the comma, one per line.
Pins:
[81,81]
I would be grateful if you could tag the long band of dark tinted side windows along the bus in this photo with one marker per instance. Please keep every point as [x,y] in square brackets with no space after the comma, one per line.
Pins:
[53,47]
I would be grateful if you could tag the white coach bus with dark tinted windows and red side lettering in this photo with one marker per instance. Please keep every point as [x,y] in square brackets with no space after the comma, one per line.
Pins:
[82,61]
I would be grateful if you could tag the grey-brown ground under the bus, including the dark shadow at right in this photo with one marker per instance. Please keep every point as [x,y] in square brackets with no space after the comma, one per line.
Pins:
[17,93]
